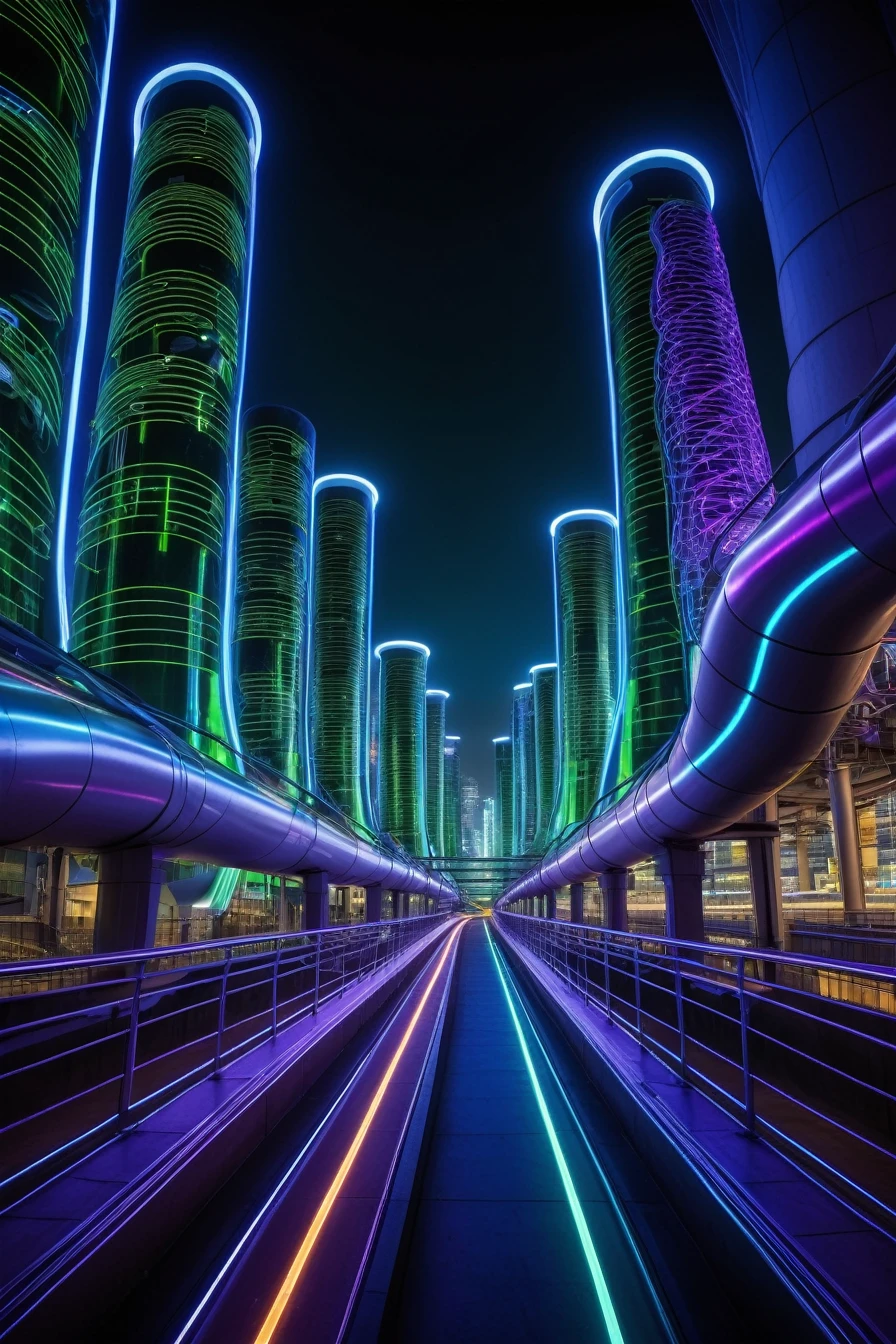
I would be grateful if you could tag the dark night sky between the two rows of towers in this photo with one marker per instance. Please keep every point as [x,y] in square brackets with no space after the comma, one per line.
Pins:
[427,279]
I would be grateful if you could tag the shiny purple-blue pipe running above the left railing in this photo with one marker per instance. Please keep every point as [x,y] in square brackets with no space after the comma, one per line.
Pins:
[79,773]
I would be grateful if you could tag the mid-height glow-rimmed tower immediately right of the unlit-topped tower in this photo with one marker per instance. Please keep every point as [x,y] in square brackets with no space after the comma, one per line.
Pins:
[341,642]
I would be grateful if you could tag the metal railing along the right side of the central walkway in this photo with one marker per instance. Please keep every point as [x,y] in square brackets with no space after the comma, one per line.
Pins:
[799,1050]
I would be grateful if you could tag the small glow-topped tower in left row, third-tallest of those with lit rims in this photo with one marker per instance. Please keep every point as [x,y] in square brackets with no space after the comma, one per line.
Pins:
[402,744]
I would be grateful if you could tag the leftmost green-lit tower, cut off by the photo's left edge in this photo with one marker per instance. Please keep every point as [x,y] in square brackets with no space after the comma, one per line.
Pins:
[54,75]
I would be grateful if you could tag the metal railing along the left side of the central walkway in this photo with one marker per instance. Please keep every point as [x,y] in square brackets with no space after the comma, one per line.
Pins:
[89,1046]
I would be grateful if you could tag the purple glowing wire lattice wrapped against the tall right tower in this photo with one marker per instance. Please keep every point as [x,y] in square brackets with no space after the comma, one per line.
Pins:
[715,452]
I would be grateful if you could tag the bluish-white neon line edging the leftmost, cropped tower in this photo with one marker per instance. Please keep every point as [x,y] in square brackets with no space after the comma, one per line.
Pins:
[75,400]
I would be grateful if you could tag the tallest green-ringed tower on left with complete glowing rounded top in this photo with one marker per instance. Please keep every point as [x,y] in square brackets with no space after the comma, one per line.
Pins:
[152,597]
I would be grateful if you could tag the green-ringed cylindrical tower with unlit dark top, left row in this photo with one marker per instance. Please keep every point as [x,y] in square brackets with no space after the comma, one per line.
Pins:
[273,552]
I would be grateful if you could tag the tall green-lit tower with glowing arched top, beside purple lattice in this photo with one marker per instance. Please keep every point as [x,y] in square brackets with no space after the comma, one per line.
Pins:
[656,689]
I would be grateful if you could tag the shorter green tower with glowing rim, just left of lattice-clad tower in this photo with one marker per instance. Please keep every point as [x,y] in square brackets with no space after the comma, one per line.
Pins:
[585,560]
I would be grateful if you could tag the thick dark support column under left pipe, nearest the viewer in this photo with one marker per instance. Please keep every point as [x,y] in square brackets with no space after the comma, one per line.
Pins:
[128,889]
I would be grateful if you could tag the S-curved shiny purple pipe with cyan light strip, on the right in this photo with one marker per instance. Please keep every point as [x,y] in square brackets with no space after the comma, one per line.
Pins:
[787,643]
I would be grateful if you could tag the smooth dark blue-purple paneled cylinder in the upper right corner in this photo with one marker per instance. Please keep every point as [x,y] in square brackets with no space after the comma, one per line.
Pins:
[813,85]
